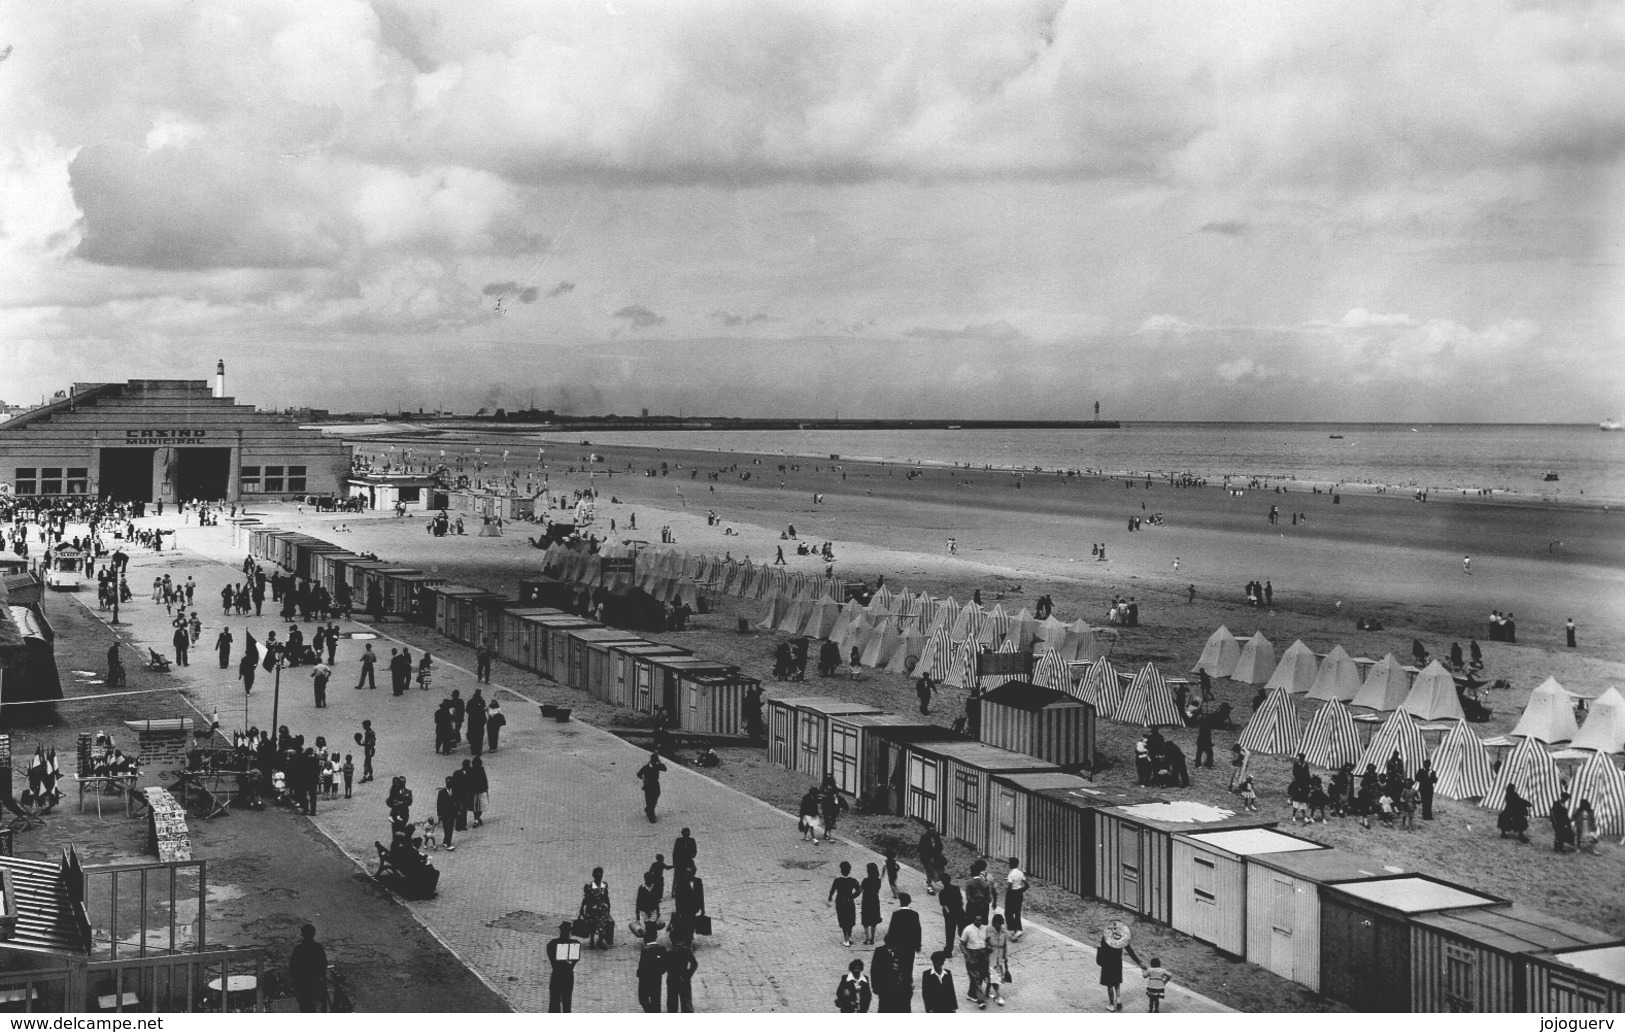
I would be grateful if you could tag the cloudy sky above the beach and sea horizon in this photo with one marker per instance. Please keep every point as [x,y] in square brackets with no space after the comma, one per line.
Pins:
[1259,210]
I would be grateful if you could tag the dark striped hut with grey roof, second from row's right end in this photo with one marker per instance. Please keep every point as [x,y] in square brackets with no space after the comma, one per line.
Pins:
[1478,961]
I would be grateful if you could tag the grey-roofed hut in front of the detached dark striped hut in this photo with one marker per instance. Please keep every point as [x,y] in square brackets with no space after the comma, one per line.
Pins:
[950,786]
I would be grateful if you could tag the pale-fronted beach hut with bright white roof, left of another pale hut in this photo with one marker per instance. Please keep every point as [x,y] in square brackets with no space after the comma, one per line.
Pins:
[1210,882]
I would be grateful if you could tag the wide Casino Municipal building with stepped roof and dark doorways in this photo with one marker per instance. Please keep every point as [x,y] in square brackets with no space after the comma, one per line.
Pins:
[147,441]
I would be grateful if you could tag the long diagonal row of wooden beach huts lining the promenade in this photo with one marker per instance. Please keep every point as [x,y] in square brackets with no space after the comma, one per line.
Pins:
[1369,935]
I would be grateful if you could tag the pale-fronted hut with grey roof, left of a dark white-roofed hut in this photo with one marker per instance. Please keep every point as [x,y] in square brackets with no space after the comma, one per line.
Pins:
[1285,908]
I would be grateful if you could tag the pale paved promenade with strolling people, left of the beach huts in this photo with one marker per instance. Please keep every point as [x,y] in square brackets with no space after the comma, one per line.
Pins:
[565,800]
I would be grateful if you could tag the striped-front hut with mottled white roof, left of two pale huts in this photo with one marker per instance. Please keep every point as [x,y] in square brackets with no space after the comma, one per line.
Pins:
[1135,851]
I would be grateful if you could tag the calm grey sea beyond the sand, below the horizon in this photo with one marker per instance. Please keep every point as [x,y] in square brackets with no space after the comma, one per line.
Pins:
[1506,459]
